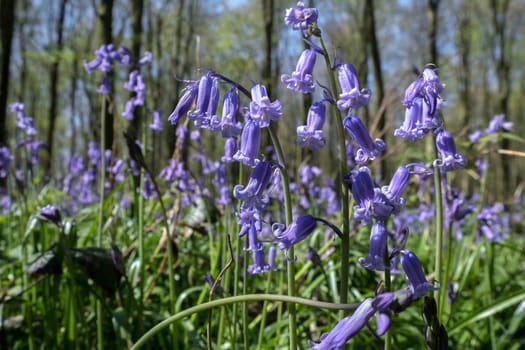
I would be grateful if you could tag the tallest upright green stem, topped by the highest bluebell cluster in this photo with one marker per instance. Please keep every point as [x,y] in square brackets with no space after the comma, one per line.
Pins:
[345,241]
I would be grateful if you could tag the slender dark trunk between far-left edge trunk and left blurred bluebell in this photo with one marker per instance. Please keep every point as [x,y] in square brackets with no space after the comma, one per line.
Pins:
[53,79]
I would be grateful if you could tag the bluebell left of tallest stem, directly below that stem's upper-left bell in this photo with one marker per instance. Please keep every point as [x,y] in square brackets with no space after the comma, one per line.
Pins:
[311,134]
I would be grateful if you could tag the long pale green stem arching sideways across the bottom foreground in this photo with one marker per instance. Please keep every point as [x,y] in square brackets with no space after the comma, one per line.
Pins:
[234,300]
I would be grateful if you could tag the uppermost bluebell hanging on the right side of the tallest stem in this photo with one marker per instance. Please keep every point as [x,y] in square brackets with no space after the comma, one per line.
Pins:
[352,96]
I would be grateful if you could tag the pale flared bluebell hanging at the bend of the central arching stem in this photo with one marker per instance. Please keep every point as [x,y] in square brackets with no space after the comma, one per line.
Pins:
[262,110]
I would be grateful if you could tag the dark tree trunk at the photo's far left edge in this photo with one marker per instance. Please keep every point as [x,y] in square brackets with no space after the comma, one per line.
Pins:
[7,26]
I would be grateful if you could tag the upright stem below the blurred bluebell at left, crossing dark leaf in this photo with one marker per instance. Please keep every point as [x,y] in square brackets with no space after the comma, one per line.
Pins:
[102,169]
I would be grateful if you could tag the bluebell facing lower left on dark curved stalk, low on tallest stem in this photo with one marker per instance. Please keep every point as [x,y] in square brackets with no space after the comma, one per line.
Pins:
[297,231]
